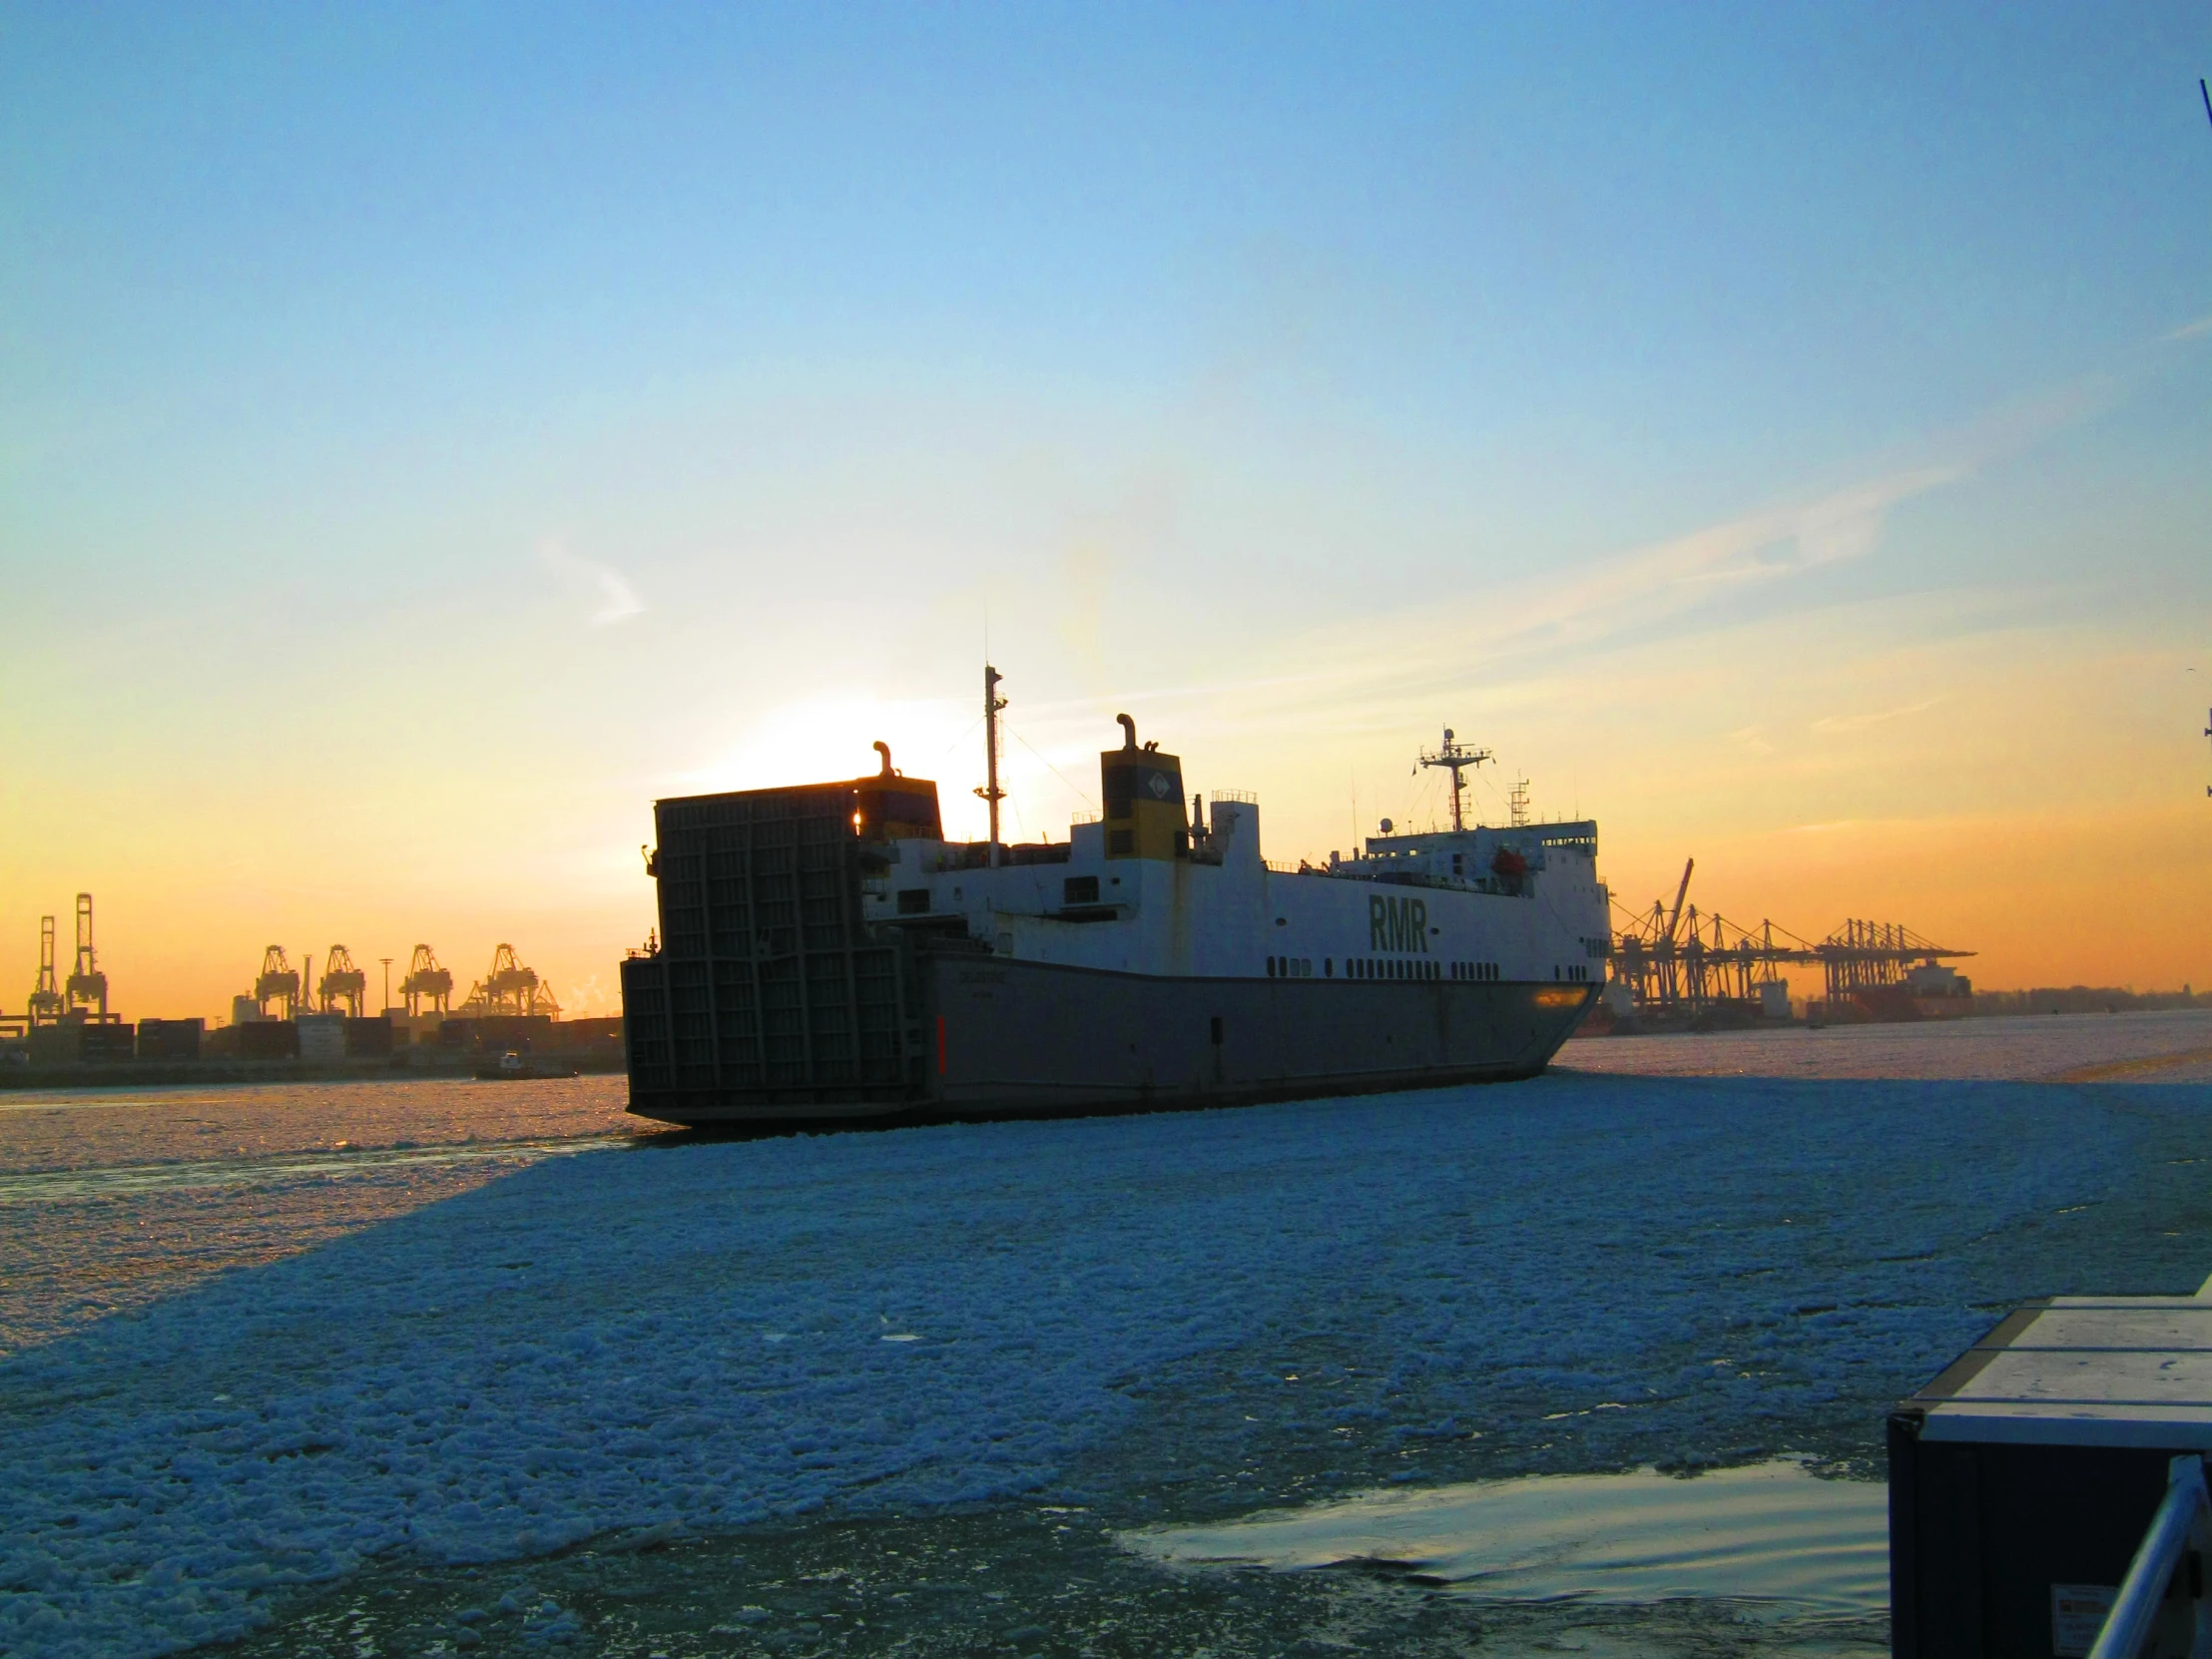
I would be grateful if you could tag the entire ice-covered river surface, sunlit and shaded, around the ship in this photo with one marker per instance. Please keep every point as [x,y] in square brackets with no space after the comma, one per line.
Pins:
[1594,1364]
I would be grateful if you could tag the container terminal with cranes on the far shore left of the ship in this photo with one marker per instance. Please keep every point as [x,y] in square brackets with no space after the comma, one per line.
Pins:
[300,1021]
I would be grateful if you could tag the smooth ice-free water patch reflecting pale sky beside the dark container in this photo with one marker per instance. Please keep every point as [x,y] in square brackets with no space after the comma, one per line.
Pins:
[1757,1534]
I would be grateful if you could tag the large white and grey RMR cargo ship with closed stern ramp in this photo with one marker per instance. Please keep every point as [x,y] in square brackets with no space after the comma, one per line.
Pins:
[826,954]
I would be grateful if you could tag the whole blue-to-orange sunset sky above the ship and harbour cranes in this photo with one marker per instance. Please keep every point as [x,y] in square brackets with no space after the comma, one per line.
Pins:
[430,435]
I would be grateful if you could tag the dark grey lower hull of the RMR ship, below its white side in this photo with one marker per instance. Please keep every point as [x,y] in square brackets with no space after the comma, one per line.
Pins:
[1027,1039]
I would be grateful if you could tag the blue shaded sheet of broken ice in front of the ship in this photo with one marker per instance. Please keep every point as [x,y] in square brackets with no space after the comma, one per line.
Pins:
[1140,1322]
